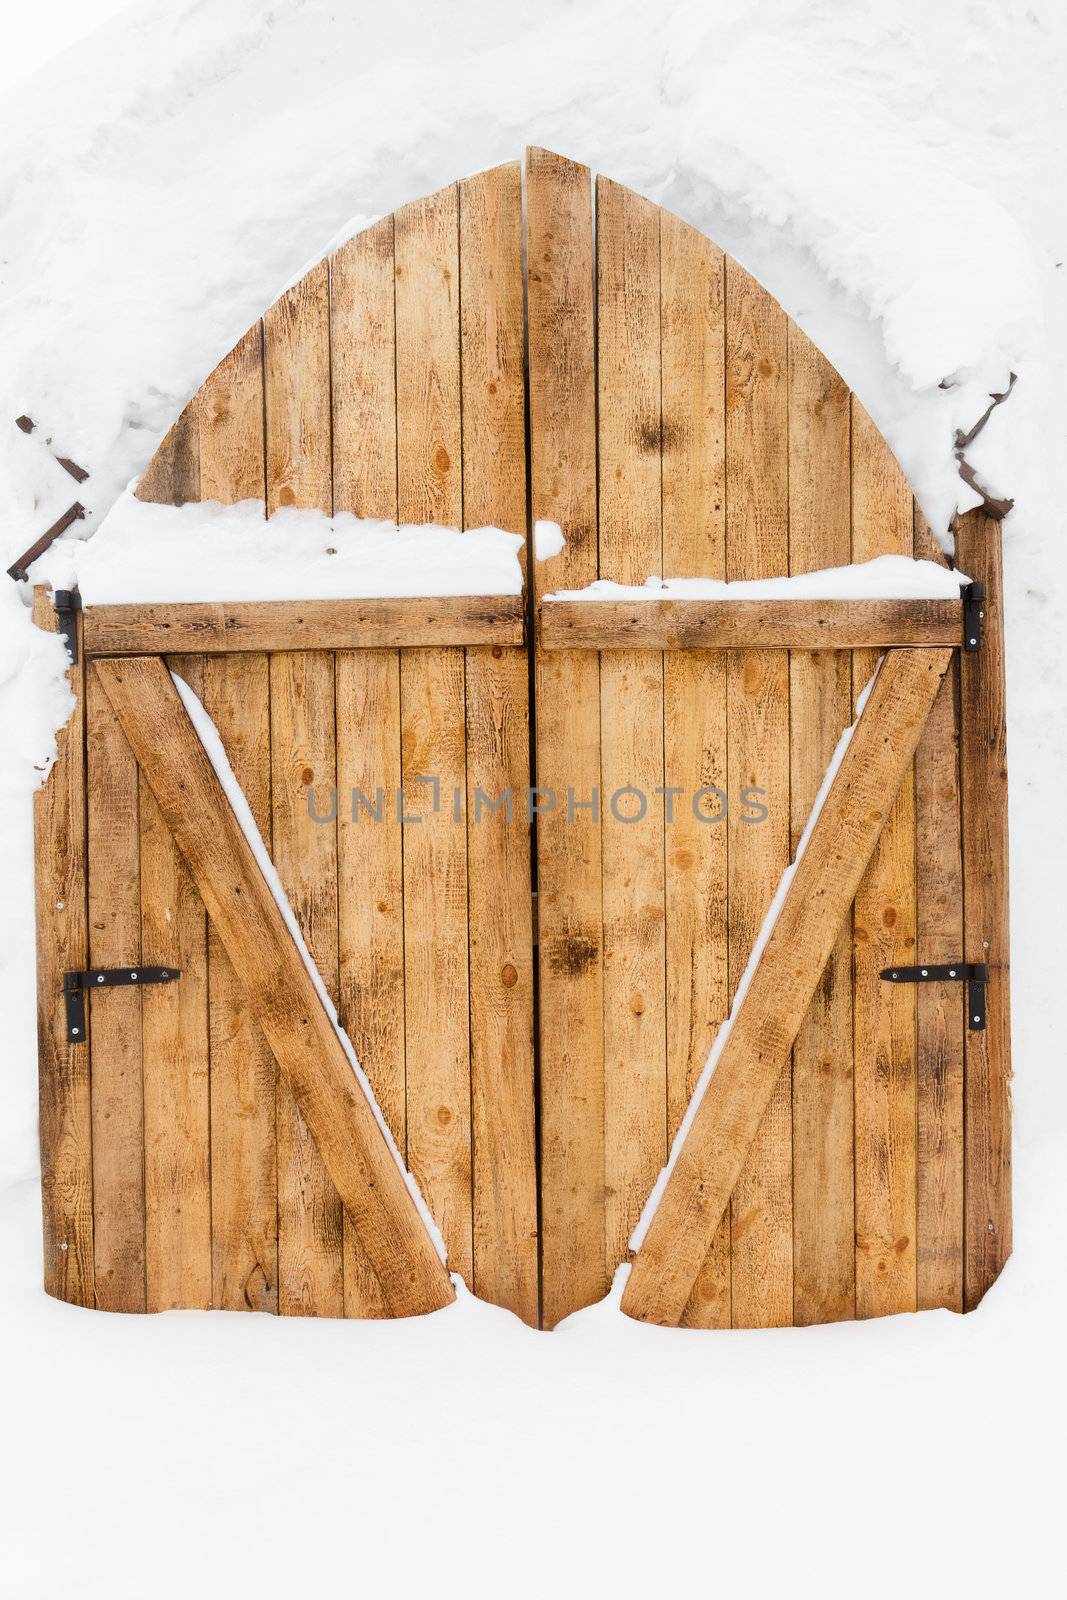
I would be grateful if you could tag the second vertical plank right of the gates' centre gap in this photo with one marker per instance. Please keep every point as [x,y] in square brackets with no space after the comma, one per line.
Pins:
[631,713]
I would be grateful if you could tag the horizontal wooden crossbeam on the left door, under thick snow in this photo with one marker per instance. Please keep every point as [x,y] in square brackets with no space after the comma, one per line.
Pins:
[303,625]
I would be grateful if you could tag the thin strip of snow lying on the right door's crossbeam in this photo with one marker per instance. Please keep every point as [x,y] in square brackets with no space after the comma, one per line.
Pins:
[884,578]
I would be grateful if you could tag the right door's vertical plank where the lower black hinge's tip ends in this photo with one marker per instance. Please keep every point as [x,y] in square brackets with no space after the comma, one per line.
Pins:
[884,935]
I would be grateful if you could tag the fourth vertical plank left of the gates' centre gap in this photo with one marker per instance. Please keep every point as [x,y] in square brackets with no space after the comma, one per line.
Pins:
[303,754]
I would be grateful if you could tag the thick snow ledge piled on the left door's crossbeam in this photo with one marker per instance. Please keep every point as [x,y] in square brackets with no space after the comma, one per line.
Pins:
[206,551]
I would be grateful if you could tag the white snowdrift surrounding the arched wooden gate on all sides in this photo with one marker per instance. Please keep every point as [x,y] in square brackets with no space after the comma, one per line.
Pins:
[893,172]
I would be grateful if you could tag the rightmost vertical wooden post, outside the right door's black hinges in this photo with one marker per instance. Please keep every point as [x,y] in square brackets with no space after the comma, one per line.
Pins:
[985,785]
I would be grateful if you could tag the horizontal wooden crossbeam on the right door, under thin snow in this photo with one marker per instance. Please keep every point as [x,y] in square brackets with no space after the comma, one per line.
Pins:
[749,625]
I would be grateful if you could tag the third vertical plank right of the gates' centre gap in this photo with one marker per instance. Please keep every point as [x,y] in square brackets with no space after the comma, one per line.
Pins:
[693,378]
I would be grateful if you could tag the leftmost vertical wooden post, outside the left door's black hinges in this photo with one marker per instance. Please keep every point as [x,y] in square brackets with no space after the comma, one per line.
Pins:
[66,1134]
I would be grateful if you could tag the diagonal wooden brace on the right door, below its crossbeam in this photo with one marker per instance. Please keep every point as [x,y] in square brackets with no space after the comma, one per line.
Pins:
[756,1057]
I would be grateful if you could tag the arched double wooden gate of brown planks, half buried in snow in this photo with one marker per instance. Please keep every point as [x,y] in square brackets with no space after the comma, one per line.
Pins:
[639,388]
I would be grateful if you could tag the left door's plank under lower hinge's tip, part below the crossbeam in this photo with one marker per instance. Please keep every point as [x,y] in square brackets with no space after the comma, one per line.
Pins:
[175,1065]
